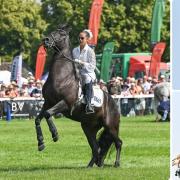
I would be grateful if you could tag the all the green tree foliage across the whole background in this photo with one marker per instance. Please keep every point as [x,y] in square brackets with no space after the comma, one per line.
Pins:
[128,24]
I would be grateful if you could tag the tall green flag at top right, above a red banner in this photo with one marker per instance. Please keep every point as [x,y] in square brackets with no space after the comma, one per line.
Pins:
[157,18]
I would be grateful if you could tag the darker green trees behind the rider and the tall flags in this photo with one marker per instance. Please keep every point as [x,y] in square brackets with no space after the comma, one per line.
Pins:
[126,22]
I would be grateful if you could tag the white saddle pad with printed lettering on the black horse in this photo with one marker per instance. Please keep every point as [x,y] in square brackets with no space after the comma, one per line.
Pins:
[97,99]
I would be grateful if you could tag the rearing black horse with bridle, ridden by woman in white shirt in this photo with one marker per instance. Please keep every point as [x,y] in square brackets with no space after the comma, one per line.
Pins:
[60,93]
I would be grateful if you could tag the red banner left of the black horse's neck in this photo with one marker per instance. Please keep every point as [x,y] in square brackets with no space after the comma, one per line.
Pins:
[40,61]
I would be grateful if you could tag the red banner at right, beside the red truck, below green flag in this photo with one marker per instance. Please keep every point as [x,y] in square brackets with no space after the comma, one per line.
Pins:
[156,59]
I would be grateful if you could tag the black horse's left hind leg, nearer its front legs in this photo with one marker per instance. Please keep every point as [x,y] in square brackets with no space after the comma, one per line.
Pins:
[90,133]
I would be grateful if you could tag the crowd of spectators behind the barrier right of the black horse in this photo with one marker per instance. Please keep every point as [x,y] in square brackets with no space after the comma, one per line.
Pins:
[131,87]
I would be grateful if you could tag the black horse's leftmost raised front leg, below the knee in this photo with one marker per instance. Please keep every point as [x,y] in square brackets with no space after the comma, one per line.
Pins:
[39,131]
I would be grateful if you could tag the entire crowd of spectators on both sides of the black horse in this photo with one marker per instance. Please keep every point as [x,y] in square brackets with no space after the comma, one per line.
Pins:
[116,86]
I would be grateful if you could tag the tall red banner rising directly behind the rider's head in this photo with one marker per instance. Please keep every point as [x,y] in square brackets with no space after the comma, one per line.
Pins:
[94,20]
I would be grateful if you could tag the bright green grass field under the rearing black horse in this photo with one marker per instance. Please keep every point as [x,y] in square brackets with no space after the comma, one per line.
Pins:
[145,152]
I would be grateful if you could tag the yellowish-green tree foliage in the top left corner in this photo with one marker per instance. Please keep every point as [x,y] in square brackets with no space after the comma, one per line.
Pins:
[21,28]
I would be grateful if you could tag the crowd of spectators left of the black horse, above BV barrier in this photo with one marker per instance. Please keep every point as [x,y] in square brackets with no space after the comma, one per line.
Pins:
[29,88]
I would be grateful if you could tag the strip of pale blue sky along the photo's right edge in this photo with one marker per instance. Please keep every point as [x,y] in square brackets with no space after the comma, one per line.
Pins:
[175,92]
